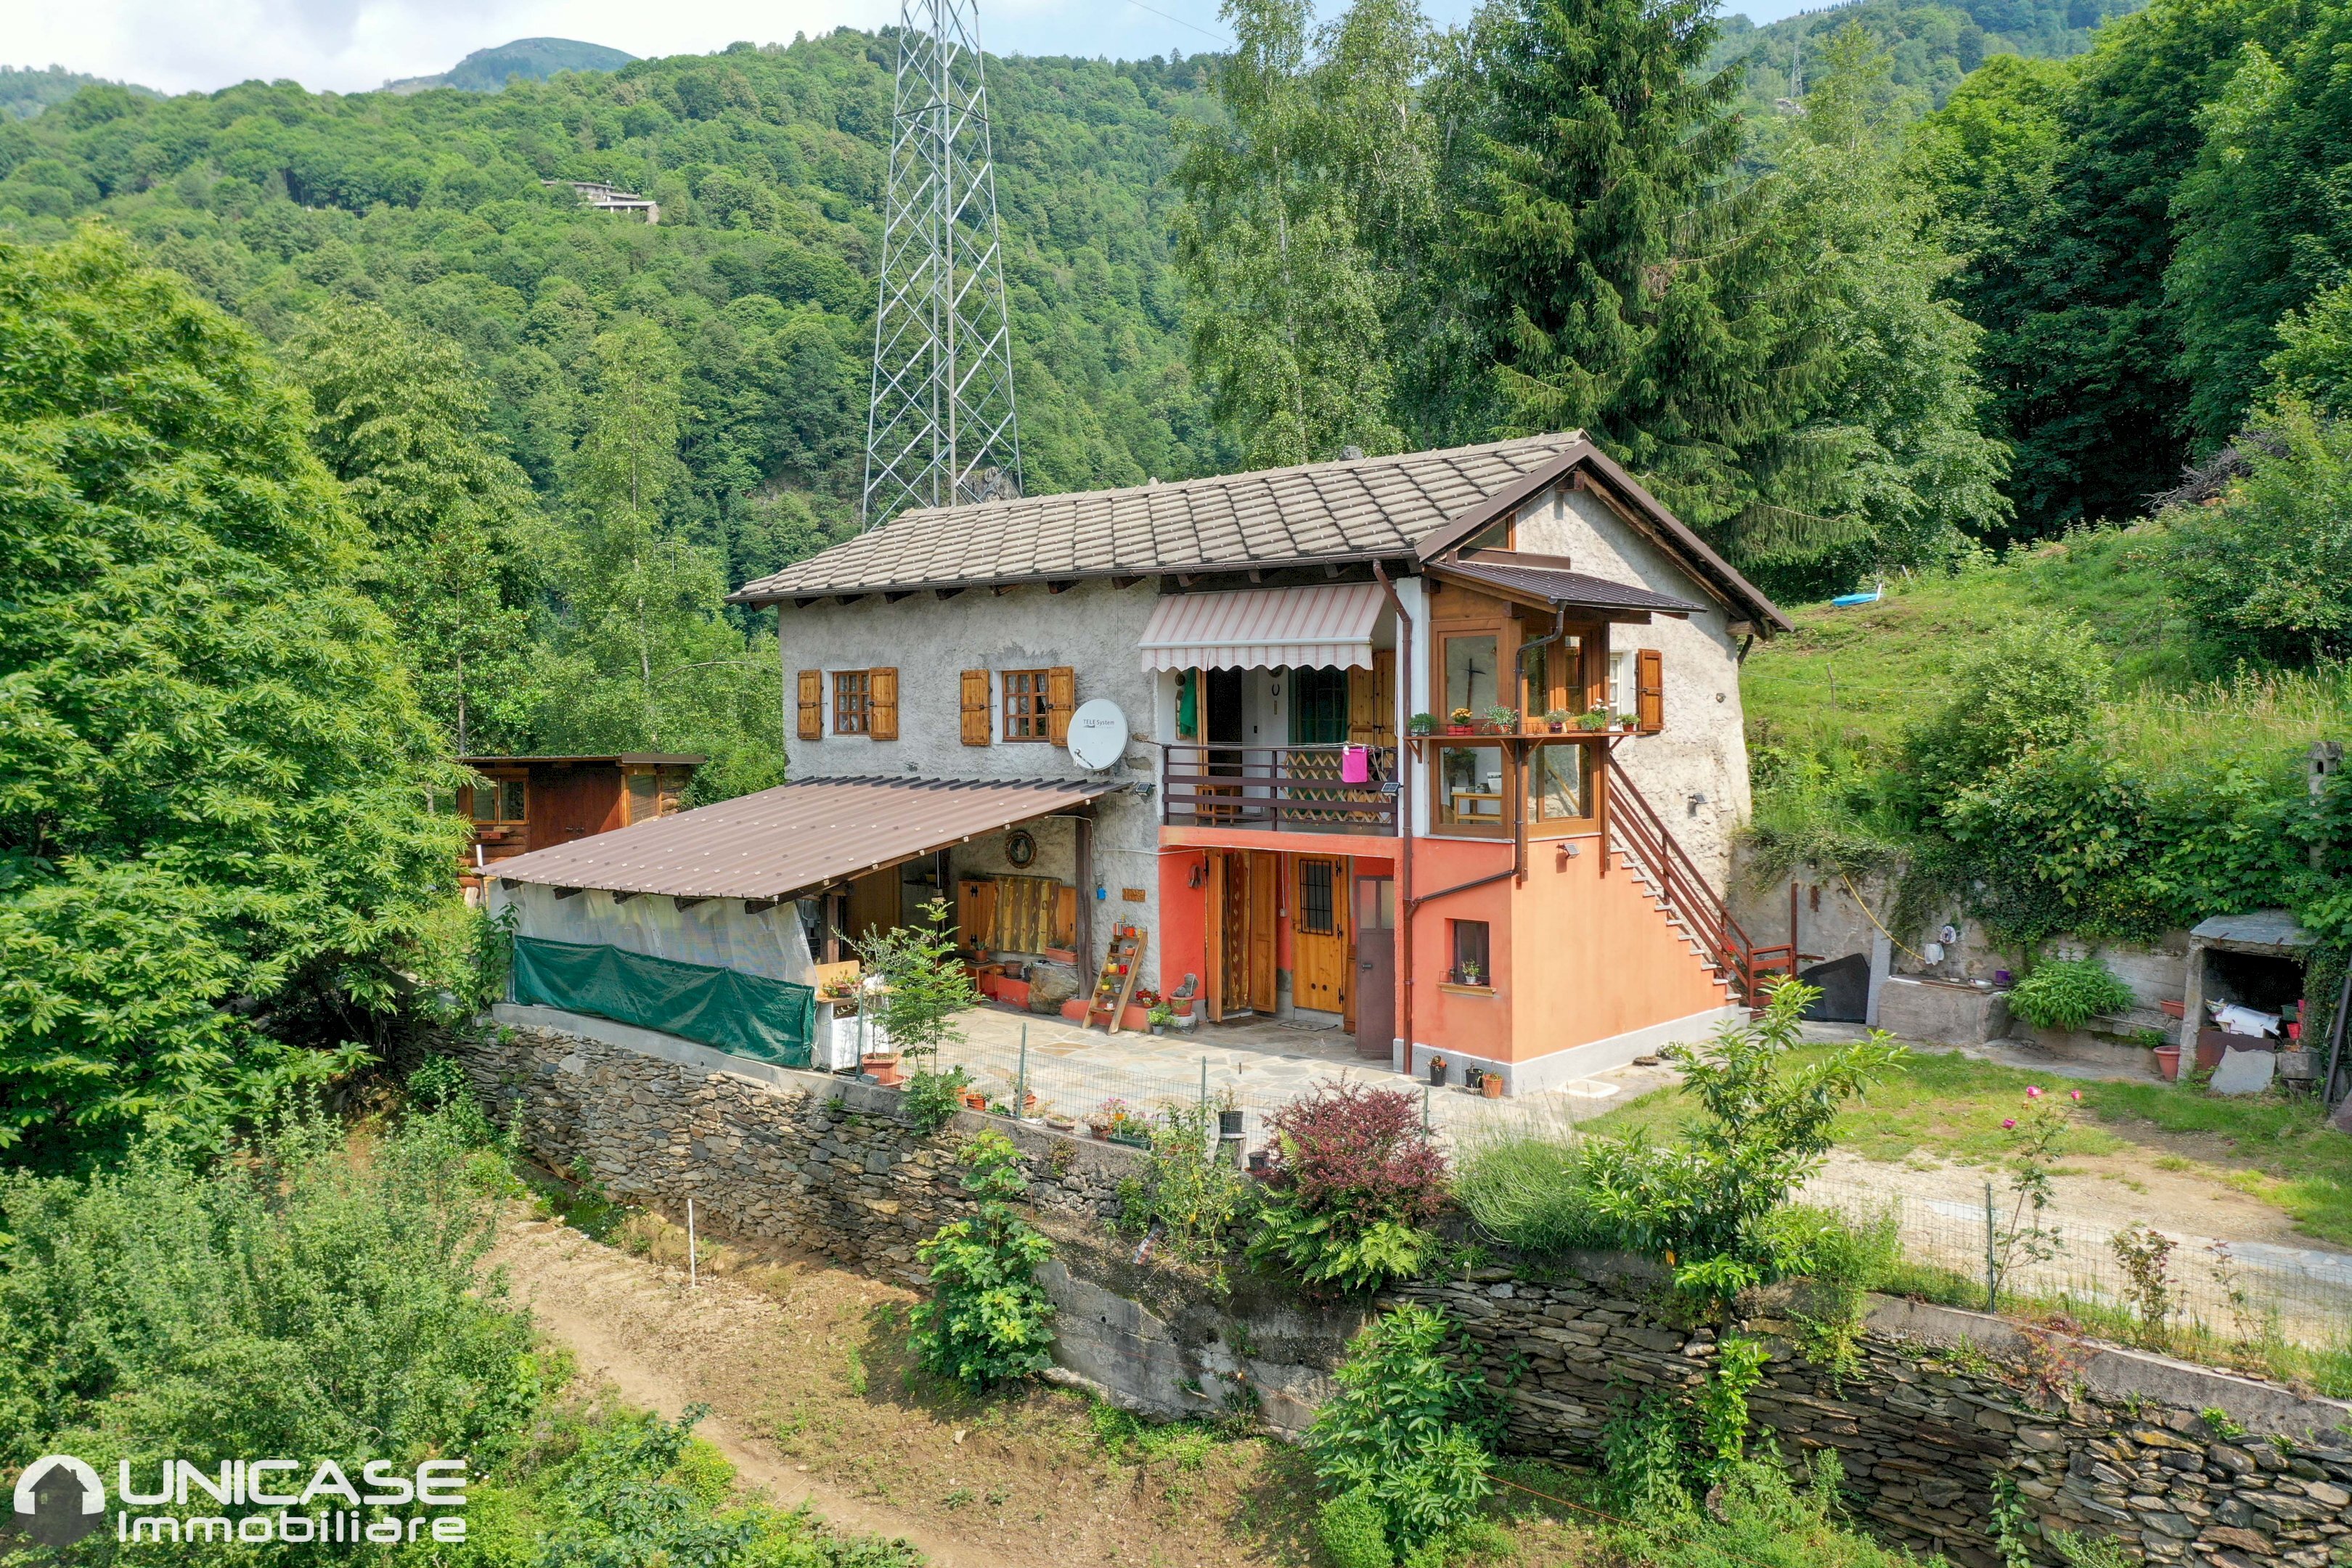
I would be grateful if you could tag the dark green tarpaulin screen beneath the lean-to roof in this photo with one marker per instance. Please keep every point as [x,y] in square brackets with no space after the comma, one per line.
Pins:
[768,1021]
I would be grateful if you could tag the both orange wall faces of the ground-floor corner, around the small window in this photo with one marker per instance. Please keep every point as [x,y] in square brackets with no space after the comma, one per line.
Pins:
[1577,956]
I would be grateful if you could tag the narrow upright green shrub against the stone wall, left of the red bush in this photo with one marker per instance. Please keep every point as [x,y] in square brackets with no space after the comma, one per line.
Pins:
[987,1320]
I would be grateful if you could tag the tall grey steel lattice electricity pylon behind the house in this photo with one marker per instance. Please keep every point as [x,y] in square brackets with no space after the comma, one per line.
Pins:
[940,427]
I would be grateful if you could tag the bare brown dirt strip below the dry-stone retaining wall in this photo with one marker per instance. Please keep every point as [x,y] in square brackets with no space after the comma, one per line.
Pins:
[813,1400]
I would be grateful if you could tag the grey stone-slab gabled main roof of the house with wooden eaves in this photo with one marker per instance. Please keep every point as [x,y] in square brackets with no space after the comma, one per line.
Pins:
[1311,523]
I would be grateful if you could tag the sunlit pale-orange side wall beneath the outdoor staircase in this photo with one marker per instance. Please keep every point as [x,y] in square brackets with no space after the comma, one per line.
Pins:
[1596,956]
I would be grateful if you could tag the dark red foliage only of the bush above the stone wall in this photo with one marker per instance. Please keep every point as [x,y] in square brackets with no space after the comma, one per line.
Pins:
[1358,1151]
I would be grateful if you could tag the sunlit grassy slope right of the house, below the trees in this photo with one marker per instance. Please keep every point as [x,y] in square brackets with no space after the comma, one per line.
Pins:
[1857,678]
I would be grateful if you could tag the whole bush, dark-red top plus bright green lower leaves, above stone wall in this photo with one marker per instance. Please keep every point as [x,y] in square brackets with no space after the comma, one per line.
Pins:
[1351,1193]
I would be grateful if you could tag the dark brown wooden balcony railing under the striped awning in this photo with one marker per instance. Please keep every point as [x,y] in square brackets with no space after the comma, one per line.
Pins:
[1285,789]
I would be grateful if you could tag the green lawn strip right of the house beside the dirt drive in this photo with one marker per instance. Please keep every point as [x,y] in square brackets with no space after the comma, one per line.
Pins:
[1951,1106]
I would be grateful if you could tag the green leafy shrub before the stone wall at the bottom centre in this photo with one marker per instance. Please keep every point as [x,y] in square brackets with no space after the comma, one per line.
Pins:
[1408,1435]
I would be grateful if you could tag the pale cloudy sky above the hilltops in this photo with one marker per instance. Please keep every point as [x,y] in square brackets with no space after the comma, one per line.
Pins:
[352,46]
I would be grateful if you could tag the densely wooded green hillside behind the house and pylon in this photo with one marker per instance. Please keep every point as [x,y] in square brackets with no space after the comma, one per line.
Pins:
[479,340]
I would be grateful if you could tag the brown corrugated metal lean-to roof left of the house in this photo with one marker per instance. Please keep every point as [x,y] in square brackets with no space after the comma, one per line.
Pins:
[796,838]
